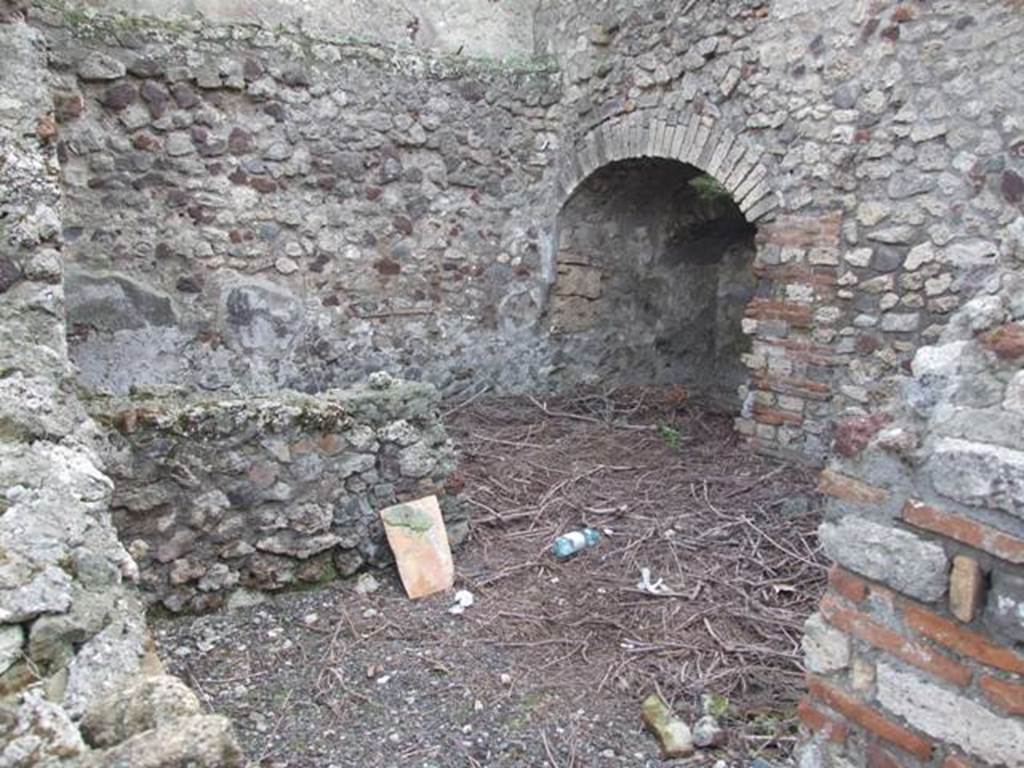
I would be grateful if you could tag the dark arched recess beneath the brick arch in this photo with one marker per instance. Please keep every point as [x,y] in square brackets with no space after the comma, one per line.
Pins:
[654,272]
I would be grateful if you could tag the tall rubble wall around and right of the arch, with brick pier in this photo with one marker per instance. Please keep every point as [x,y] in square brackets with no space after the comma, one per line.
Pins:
[877,143]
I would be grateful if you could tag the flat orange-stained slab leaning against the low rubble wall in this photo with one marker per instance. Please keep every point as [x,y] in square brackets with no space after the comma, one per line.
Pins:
[418,539]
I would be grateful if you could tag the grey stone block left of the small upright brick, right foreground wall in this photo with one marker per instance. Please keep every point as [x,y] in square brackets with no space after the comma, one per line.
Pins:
[898,559]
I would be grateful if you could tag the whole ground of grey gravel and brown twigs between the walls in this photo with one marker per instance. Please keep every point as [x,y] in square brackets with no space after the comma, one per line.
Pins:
[549,666]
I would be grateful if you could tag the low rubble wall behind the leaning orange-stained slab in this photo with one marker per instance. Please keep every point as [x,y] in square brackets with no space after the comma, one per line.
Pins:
[268,493]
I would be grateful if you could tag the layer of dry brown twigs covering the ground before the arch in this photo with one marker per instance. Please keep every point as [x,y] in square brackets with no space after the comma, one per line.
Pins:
[728,540]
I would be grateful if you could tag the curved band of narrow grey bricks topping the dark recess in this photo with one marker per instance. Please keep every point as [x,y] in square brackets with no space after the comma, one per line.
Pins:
[668,134]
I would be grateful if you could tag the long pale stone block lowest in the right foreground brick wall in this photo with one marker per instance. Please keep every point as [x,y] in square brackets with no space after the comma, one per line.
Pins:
[952,718]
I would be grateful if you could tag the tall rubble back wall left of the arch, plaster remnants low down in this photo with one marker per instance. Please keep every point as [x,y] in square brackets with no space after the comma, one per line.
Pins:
[257,208]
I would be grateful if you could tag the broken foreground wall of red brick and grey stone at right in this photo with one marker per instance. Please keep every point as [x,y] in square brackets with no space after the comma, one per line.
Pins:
[917,654]
